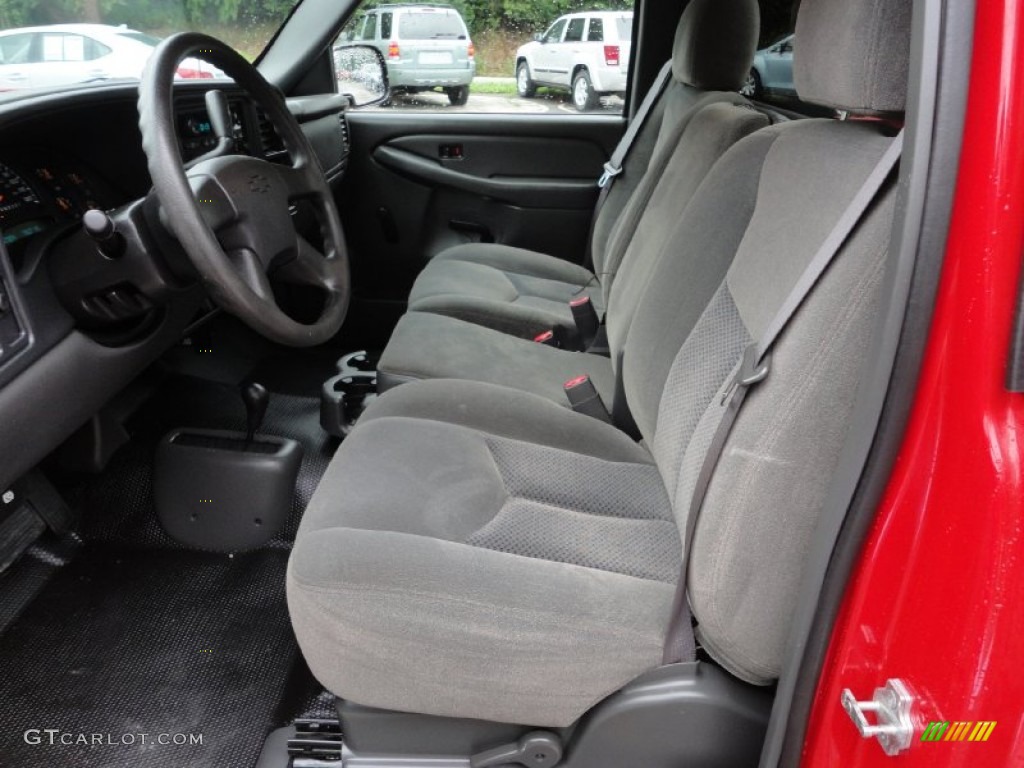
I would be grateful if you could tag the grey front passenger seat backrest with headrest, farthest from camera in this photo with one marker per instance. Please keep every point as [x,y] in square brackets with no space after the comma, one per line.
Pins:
[711,58]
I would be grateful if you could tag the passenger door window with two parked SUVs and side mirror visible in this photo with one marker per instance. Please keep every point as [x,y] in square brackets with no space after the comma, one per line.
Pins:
[486,57]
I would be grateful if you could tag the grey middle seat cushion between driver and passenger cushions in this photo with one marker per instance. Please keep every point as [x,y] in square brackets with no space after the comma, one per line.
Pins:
[425,346]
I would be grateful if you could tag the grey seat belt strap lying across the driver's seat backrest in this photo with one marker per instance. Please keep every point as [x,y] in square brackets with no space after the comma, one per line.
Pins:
[753,369]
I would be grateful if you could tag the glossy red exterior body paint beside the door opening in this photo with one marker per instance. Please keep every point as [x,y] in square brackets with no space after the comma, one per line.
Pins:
[938,596]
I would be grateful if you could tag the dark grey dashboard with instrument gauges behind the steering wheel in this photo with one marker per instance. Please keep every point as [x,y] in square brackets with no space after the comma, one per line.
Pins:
[77,324]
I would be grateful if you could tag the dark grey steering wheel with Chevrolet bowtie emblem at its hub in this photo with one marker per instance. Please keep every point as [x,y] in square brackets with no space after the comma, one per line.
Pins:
[231,214]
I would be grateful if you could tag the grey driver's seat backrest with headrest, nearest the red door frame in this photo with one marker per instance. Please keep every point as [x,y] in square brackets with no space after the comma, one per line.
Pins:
[743,241]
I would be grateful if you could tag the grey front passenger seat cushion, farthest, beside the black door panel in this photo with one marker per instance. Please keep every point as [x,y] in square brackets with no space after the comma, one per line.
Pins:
[513,290]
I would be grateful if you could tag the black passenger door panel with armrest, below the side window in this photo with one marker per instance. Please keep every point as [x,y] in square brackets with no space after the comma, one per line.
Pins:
[522,181]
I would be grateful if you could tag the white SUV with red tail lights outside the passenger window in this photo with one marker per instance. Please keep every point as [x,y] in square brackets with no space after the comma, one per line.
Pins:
[588,54]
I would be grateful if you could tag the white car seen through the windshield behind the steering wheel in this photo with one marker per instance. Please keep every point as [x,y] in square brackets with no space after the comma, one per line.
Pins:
[69,54]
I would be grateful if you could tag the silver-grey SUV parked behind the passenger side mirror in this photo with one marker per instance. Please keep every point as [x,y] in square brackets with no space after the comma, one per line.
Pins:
[426,48]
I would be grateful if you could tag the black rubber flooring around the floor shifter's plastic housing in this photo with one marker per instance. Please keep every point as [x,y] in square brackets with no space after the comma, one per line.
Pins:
[118,506]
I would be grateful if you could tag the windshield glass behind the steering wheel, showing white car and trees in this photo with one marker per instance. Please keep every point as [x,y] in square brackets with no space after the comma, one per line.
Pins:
[54,44]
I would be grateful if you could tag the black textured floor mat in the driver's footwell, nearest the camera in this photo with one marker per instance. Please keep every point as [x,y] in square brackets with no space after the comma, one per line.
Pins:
[126,650]
